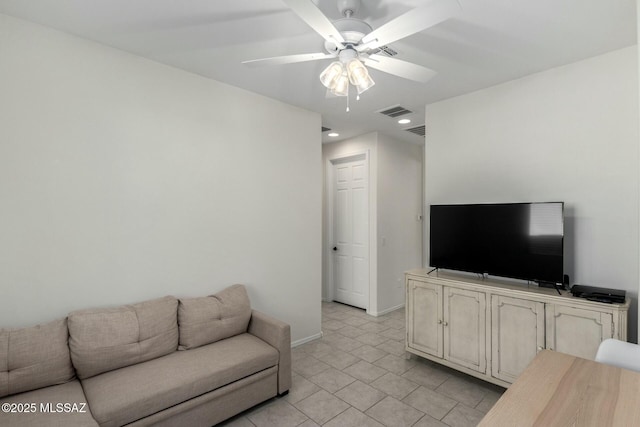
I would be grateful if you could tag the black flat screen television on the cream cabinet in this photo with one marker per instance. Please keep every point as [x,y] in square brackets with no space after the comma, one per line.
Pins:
[516,240]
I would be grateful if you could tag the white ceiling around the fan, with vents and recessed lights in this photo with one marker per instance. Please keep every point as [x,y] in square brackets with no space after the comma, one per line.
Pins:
[491,41]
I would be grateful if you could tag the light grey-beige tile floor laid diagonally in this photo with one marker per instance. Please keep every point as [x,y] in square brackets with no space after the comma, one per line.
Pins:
[357,375]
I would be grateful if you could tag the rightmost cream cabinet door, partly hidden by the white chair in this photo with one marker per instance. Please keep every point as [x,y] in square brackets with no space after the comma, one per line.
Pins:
[576,331]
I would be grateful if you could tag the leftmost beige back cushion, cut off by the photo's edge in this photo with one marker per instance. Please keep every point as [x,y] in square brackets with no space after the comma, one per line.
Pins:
[34,357]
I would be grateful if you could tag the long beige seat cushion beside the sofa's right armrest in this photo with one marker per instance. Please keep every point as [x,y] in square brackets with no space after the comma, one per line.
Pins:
[127,394]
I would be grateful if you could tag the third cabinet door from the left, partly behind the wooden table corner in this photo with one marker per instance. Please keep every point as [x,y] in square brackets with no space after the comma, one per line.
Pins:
[517,334]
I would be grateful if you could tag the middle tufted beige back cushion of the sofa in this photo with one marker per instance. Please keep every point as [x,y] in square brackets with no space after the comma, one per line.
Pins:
[104,339]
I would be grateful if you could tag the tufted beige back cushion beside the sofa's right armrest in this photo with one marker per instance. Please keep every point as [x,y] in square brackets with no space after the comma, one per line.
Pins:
[209,319]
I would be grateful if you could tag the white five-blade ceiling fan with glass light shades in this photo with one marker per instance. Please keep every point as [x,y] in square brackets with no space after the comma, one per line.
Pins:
[353,43]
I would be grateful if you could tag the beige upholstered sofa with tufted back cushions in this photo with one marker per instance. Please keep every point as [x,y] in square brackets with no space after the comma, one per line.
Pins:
[167,362]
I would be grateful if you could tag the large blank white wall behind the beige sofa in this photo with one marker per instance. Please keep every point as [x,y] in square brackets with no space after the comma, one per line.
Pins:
[122,179]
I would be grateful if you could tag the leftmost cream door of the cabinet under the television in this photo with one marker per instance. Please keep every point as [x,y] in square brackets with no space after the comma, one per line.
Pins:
[424,317]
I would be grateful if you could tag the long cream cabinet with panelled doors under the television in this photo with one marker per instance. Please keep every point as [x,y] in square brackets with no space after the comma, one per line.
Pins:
[493,329]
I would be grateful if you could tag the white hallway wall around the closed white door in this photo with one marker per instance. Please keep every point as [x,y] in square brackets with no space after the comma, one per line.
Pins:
[395,180]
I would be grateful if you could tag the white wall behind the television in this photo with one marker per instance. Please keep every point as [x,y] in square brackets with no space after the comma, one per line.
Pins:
[567,134]
